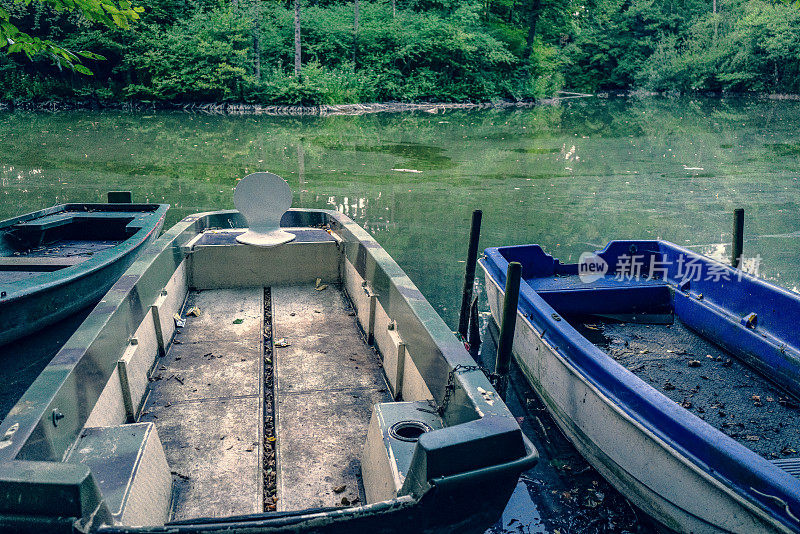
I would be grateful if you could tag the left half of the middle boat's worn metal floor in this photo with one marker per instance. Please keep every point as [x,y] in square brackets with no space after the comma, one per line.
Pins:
[206,403]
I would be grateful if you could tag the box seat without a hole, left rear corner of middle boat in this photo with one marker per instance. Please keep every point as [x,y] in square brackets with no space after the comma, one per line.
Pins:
[130,469]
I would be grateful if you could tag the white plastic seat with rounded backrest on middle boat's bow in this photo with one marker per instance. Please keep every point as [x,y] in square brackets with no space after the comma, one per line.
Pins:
[262,198]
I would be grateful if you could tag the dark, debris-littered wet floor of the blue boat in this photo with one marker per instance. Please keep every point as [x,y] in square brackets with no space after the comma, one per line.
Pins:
[715,387]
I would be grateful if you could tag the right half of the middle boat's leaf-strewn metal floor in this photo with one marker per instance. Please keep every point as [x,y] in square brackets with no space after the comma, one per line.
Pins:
[327,380]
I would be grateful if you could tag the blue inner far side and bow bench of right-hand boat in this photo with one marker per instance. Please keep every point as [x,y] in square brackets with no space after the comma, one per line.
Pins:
[657,282]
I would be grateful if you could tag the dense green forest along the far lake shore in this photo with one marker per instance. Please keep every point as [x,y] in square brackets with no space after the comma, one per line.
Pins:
[311,52]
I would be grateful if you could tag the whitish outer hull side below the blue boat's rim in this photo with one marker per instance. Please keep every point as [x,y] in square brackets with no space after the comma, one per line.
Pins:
[654,476]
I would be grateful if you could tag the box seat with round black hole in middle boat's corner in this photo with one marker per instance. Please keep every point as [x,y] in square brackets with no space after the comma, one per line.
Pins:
[391,440]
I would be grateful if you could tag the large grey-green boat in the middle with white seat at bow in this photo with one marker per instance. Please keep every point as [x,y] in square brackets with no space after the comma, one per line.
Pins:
[306,386]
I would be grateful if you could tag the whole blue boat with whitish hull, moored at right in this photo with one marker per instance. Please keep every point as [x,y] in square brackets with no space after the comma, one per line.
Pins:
[674,375]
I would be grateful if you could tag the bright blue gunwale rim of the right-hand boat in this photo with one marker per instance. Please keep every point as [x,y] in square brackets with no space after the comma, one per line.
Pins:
[634,398]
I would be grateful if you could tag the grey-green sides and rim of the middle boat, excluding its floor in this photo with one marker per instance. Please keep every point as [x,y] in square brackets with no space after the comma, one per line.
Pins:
[456,478]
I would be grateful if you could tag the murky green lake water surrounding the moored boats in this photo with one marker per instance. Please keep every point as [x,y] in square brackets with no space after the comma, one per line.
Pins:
[570,177]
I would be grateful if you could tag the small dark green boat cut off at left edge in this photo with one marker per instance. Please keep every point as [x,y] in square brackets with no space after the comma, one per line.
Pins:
[57,261]
